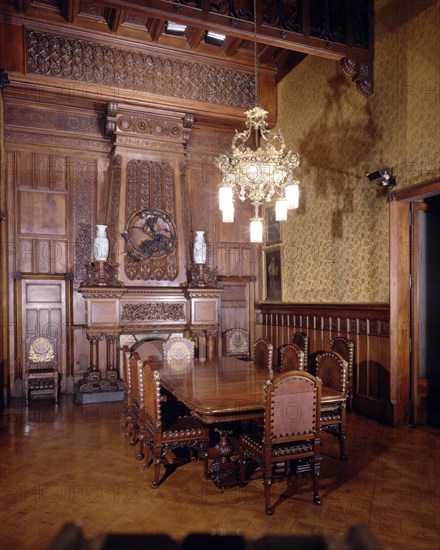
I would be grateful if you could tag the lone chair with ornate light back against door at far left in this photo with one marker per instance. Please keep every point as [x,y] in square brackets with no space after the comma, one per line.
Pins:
[41,360]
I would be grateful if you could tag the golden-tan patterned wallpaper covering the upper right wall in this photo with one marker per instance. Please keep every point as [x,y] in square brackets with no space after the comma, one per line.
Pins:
[335,246]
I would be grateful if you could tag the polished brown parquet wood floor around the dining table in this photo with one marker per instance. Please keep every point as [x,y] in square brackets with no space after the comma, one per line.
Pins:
[71,463]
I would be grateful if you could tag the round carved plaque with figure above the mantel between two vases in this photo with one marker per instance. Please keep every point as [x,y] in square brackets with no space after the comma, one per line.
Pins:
[150,233]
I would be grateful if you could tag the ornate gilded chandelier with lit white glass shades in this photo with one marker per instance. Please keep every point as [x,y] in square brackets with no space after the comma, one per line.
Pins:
[261,174]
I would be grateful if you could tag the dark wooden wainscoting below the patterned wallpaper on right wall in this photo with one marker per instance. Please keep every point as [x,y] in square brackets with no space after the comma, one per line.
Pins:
[366,325]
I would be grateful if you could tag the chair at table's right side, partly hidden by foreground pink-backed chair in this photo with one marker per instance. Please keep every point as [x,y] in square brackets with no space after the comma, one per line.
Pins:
[332,369]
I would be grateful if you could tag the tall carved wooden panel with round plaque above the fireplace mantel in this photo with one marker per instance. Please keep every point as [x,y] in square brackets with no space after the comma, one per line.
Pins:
[150,198]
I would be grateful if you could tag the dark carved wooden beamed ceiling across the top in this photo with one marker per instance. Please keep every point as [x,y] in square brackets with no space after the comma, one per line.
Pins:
[285,31]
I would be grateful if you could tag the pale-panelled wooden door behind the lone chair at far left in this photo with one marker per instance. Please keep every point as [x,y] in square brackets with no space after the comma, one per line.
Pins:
[43,312]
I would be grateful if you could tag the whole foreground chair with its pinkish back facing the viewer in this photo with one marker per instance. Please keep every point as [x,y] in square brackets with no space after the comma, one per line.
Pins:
[291,429]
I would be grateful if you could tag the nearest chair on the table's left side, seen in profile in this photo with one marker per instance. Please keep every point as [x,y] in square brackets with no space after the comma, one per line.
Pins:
[158,438]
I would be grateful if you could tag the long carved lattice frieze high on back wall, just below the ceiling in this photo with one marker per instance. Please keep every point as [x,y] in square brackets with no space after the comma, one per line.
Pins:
[86,61]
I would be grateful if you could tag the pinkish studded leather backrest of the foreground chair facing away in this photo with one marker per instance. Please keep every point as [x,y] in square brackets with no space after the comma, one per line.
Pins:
[292,406]
